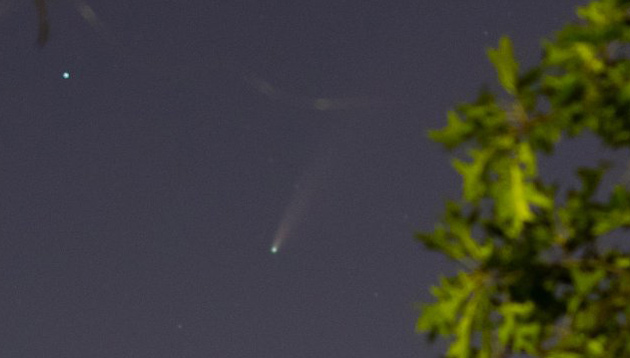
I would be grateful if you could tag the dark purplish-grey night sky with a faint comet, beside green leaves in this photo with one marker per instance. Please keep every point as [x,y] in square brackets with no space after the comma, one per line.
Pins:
[141,198]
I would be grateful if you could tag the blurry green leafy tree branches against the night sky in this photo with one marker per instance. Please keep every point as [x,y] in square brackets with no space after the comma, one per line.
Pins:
[534,280]
